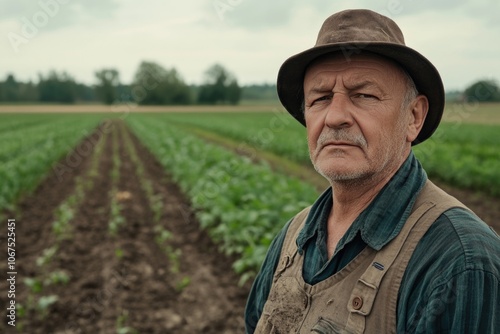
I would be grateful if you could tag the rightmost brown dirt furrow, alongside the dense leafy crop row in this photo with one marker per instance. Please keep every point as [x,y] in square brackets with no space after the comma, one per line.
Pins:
[212,302]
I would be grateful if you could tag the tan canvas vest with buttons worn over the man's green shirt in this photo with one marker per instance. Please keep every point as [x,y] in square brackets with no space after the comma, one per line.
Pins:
[360,298]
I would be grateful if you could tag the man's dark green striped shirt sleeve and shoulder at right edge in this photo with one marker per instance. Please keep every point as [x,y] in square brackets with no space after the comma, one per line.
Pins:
[453,272]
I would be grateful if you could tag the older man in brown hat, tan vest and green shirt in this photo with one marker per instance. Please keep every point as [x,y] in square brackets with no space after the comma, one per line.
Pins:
[383,250]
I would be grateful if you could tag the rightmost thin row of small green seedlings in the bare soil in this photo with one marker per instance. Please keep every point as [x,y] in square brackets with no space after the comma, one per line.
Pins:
[163,237]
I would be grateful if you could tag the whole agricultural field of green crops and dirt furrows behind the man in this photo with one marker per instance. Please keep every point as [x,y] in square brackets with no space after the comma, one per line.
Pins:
[157,222]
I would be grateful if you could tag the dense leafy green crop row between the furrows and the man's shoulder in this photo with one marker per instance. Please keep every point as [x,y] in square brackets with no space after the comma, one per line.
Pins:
[241,204]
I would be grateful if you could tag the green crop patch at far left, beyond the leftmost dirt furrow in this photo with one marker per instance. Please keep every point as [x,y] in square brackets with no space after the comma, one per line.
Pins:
[28,152]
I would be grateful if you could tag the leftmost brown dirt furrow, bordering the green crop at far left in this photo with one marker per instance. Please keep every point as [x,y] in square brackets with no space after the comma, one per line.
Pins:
[34,235]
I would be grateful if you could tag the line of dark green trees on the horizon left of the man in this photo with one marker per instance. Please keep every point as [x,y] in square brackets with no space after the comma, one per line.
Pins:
[152,85]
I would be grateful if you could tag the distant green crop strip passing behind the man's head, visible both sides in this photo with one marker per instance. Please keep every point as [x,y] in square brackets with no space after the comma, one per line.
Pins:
[460,154]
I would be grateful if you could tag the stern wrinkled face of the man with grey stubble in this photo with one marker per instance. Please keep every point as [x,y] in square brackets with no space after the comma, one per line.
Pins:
[355,126]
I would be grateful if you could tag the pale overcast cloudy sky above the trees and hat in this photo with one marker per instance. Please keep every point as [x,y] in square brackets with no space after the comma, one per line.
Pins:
[251,38]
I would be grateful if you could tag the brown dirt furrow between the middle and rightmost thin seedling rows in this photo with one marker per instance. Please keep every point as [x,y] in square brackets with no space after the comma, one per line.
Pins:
[145,289]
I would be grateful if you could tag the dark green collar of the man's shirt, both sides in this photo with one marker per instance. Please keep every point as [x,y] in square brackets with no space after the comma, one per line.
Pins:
[384,217]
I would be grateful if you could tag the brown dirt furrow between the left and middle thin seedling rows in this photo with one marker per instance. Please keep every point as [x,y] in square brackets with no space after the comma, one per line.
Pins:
[81,301]
